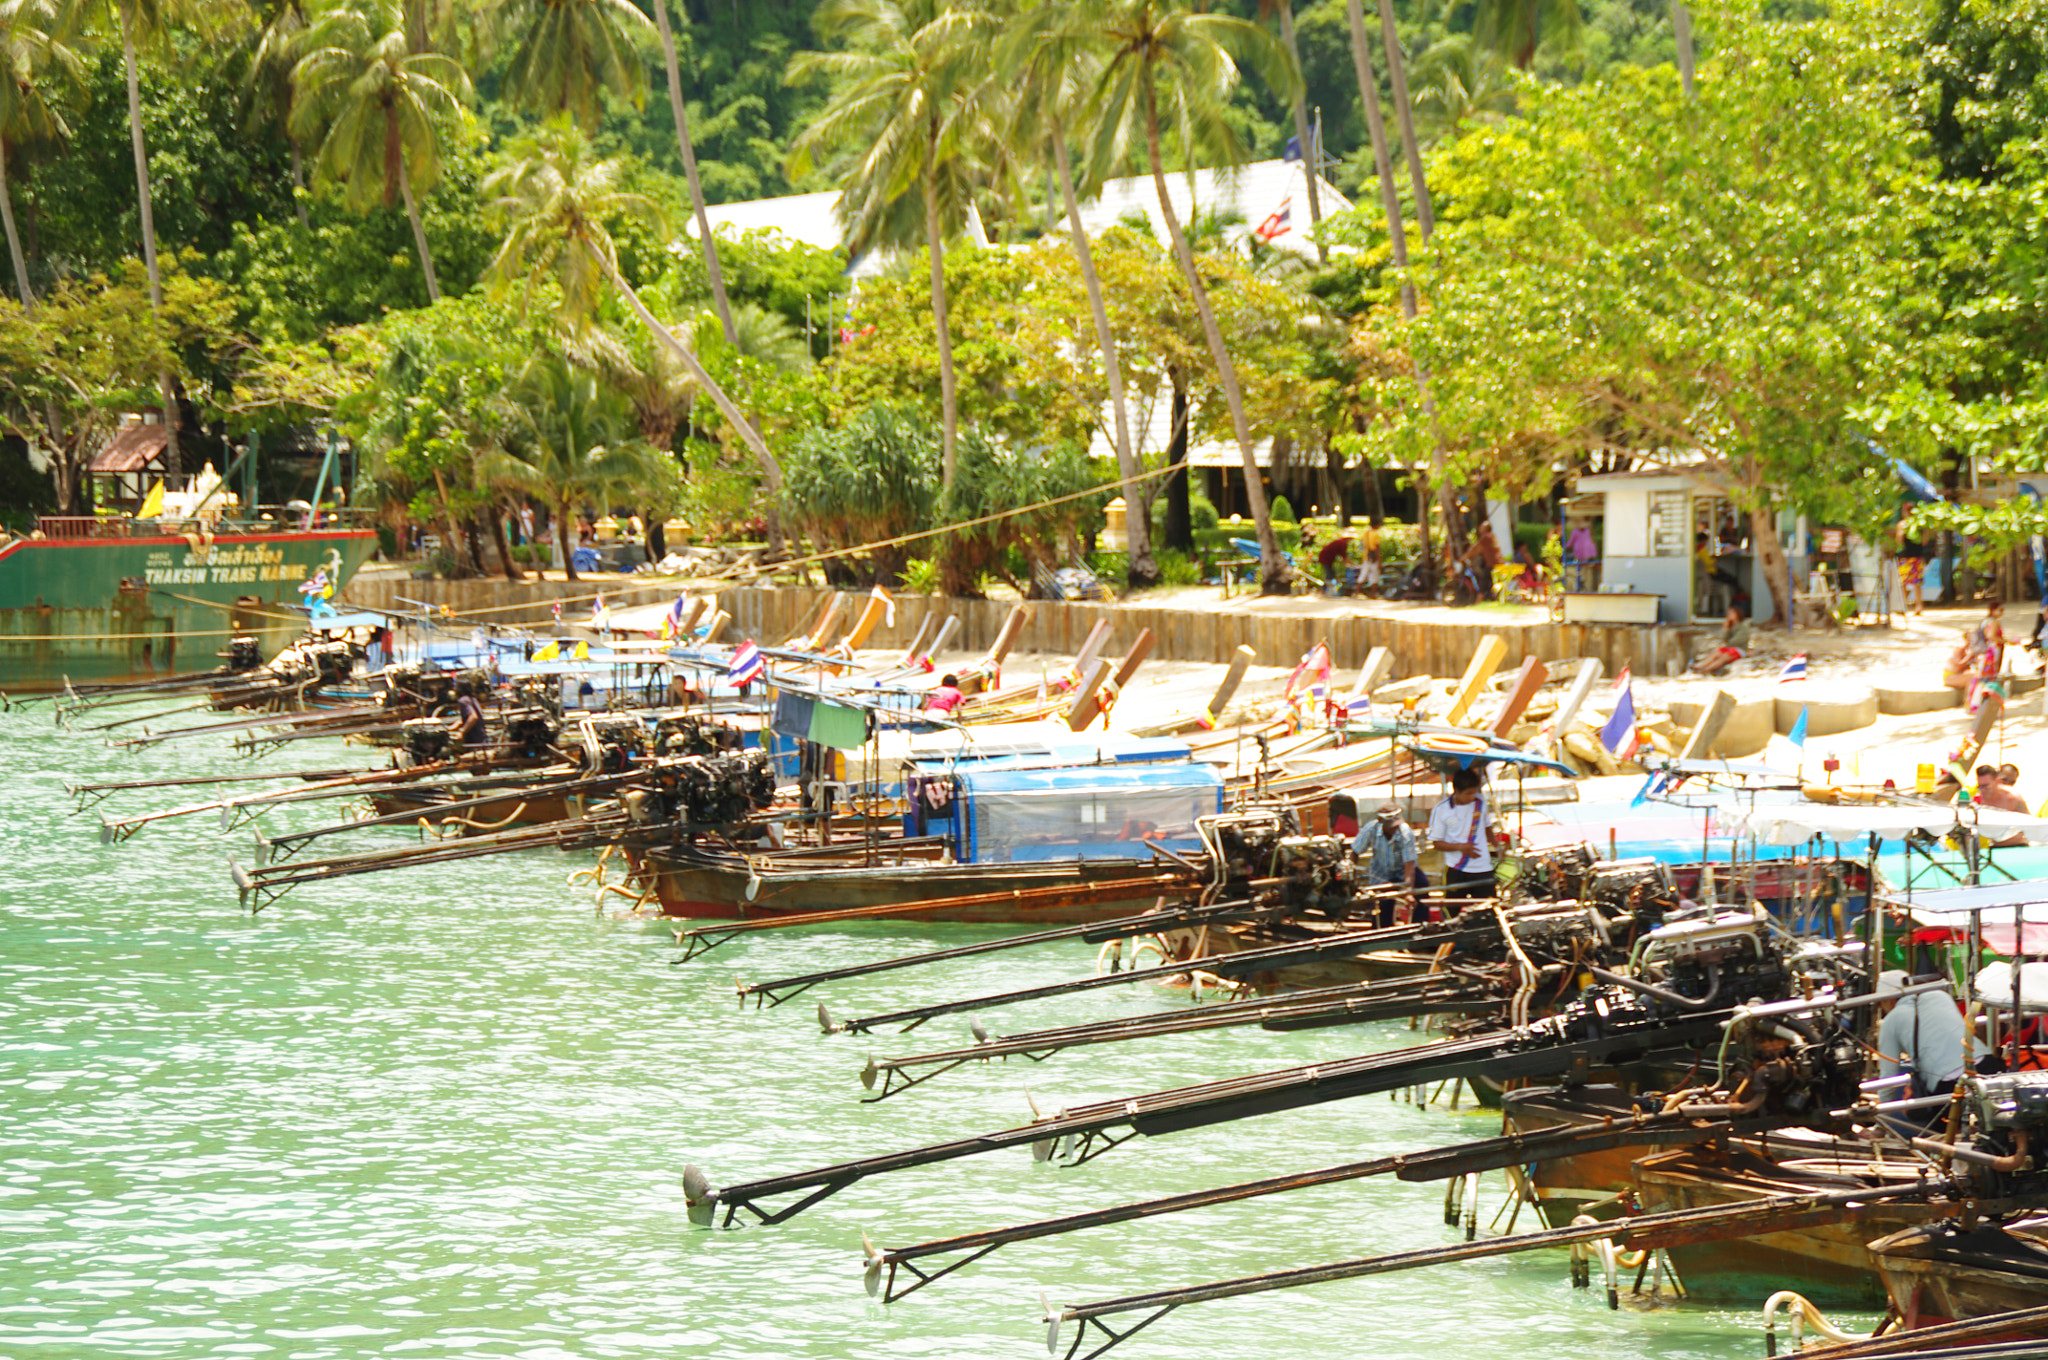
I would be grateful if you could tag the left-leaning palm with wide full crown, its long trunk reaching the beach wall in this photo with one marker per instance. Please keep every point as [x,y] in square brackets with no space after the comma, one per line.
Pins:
[1170,69]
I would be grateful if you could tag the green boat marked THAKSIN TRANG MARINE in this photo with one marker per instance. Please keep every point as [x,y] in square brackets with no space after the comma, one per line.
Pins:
[114,599]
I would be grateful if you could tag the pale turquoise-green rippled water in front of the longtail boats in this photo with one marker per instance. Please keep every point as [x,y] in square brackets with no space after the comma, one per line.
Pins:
[445,1113]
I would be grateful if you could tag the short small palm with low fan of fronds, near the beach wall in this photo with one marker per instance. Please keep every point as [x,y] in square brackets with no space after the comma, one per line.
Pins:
[570,441]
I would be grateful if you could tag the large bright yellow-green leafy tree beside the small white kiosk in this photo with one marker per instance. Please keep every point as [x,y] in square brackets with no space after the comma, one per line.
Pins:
[1732,286]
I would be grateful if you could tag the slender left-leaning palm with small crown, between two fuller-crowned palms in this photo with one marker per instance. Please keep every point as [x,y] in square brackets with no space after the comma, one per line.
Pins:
[1048,77]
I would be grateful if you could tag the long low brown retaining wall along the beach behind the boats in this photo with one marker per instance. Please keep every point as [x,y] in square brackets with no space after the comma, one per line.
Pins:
[1435,646]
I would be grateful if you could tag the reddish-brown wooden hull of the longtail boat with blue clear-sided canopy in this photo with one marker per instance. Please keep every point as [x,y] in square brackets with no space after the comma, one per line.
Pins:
[728,888]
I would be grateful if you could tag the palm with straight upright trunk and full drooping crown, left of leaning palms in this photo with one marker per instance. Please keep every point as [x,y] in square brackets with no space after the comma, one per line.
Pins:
[908,99]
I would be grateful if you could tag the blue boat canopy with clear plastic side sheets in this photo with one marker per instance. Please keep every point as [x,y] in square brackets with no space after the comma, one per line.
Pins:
[1103,812]
